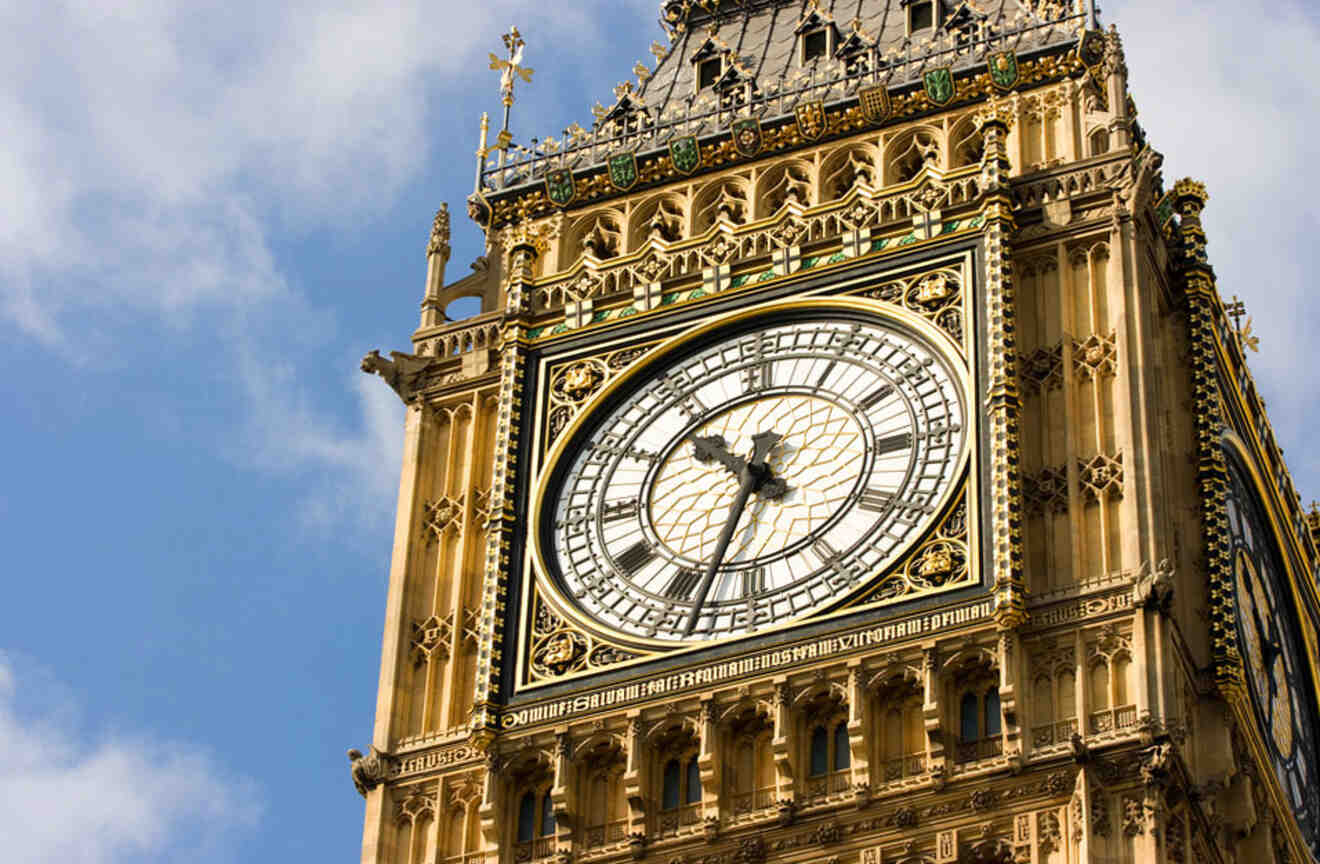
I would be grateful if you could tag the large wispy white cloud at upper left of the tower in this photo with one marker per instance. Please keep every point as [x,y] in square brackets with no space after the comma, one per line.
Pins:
[155,151]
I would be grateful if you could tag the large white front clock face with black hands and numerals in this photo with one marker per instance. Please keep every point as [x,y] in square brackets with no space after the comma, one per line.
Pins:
[756,472]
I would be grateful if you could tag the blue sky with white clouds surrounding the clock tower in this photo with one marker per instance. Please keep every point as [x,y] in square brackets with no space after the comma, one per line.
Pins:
[208,214]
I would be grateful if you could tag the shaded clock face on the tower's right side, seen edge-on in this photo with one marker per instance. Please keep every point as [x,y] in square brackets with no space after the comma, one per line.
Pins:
[1273,658]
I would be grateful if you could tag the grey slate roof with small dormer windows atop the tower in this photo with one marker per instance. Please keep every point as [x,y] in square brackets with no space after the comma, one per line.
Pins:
[761,42]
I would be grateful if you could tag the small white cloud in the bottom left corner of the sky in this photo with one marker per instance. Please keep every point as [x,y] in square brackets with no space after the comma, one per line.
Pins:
[119,799]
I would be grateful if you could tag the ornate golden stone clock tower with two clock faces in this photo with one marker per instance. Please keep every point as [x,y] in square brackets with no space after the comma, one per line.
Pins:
[853,462]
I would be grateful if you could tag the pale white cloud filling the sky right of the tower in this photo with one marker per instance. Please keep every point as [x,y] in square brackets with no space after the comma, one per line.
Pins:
[1223,93]
